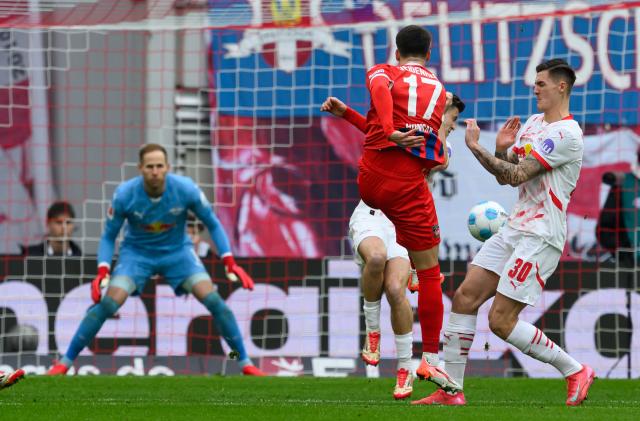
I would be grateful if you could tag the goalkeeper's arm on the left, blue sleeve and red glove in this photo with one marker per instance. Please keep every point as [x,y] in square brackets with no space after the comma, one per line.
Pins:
[115,219]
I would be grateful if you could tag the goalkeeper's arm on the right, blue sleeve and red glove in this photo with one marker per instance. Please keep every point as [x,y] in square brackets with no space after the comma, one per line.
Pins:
[202,208]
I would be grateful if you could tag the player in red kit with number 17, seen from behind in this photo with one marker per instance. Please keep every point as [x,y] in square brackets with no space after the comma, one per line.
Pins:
[401,145]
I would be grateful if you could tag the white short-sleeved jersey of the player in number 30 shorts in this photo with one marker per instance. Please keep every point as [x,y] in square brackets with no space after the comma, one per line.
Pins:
[541,208]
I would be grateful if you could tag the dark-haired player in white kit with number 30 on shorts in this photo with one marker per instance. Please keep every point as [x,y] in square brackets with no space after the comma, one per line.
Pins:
[515,263]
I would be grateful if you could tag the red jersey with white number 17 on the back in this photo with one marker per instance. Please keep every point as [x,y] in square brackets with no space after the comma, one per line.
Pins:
[418,102]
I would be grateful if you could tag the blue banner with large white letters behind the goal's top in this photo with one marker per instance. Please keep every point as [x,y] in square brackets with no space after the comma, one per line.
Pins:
[289,68]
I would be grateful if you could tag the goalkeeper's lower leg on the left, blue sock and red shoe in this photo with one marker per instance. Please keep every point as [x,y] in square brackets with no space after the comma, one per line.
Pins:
[89,327]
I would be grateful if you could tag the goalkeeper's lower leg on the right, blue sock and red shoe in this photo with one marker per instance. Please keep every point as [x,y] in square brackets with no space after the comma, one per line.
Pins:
[226,324]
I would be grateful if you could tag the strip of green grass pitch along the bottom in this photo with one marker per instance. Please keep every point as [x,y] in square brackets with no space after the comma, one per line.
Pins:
[221,398]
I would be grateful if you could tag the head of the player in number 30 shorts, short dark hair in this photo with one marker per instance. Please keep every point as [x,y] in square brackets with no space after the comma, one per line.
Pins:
[554,80]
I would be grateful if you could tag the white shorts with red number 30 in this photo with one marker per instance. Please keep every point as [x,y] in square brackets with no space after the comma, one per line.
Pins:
[523,261]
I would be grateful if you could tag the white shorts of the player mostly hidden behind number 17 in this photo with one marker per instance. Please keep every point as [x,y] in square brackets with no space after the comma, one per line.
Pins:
[369,222]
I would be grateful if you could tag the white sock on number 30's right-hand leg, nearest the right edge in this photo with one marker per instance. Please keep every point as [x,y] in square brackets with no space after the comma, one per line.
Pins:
[532,341]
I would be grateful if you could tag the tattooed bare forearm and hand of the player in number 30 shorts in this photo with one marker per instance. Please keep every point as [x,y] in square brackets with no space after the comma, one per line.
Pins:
[505,172]
